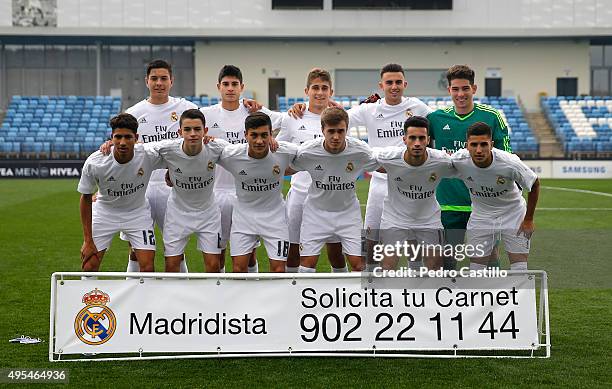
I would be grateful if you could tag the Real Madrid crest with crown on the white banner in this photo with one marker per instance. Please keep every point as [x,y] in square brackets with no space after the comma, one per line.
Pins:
[96,323]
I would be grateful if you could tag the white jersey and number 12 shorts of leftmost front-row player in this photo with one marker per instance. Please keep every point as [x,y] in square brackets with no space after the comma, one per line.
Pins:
[120,205]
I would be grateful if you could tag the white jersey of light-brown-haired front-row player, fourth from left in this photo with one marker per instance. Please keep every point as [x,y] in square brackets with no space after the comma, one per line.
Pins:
[334,175]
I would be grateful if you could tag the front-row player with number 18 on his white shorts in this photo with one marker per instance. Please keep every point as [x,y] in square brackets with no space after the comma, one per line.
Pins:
[259,211]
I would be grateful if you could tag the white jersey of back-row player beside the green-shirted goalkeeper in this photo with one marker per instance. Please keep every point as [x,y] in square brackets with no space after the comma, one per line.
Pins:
[384,122]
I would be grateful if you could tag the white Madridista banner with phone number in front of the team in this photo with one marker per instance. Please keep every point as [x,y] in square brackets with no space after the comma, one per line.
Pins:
[281,315]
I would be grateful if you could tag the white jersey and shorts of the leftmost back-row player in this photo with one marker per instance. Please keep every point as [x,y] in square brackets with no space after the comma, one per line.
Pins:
[157,122]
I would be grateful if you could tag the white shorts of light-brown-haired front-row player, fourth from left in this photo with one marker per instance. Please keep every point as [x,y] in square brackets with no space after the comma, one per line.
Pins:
[320,227]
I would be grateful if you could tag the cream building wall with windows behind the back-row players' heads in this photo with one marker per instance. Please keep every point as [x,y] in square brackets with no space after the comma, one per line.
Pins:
[527,67]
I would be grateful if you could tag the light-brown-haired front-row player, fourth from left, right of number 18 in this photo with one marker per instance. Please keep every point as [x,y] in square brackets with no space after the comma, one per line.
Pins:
[332,212]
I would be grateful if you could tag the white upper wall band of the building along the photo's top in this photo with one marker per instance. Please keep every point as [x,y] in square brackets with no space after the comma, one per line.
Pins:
[256,17]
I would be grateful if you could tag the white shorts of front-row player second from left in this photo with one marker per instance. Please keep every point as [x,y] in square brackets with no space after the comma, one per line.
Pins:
[181,224]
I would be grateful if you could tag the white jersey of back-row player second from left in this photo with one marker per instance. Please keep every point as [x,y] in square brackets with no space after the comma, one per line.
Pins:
[229,126]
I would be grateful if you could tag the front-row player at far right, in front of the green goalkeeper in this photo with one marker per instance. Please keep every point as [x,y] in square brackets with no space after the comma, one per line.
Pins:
[494,178]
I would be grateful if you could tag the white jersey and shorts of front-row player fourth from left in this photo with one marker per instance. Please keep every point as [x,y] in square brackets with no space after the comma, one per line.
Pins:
[332,212]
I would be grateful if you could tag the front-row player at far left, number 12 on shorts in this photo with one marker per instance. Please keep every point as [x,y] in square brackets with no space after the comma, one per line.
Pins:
[121,179]
